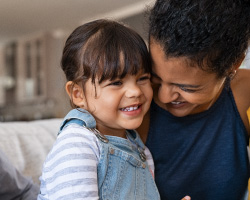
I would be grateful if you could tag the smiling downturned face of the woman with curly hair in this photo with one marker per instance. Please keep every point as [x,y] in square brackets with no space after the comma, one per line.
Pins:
[180,89]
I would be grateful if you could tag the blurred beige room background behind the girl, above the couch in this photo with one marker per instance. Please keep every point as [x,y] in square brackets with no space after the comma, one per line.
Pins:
[32,36]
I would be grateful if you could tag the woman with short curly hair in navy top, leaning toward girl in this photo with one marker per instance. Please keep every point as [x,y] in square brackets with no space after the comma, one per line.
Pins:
[198,130]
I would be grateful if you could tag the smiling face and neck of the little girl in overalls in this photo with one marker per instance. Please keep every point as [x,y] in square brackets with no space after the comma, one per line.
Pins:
[119,104]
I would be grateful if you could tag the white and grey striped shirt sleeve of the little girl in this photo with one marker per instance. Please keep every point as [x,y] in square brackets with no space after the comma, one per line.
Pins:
[70,170]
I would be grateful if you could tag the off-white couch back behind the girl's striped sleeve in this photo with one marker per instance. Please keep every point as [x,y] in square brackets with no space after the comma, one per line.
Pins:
[27,144]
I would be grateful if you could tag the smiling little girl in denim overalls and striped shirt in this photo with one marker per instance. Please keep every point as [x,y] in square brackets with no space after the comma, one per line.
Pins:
[97,154]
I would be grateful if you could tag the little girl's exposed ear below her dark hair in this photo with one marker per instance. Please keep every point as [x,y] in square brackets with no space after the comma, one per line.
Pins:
[75,93]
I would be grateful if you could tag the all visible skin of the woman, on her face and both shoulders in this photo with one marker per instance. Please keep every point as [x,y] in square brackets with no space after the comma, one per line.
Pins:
[185,90]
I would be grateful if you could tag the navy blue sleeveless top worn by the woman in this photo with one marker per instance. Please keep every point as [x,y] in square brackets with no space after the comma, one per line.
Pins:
[202,155]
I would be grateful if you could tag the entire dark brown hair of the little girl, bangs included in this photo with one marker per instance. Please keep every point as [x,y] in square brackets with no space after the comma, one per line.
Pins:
[104,49]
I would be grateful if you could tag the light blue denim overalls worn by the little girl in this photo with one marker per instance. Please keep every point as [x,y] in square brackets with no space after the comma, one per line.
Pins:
[123,172]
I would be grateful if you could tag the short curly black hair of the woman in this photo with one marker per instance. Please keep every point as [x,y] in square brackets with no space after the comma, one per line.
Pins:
[212,34]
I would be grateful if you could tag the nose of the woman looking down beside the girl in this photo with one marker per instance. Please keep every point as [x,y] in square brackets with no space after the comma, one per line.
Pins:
[167,94]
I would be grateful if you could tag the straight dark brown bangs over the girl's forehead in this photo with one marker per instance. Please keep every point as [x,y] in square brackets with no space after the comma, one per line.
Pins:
[113,54]
